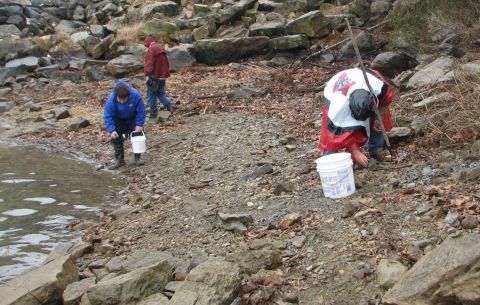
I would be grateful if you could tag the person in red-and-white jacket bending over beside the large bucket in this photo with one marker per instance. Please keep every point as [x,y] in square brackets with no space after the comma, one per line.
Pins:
[348,117]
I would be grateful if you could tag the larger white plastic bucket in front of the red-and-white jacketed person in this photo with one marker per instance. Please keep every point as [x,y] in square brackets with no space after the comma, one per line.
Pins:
[336,173]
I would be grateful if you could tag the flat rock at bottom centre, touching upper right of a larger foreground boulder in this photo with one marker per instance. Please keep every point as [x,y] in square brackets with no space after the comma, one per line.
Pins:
[252,261]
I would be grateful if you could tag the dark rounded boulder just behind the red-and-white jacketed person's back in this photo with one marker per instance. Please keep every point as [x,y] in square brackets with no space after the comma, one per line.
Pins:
[392,63]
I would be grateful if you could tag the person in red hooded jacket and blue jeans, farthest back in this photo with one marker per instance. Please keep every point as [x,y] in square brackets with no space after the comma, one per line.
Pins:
[156,73]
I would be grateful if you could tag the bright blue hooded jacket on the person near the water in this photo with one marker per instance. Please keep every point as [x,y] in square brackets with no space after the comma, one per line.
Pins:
[132,109]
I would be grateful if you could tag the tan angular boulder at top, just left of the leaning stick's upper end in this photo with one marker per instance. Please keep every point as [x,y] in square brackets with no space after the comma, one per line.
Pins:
[312,24]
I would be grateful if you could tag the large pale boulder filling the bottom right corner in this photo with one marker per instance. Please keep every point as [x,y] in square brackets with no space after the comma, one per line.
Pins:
[449,274]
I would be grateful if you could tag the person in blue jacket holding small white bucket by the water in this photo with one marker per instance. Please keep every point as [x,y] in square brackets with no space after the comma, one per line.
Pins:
[124,113]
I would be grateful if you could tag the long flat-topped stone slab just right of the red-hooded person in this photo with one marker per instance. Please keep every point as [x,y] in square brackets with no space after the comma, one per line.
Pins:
[215,51]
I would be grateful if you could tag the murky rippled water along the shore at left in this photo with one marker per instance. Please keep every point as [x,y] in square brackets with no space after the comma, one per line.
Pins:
[40,194]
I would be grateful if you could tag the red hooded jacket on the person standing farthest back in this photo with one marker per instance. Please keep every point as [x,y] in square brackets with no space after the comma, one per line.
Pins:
[156,61]
